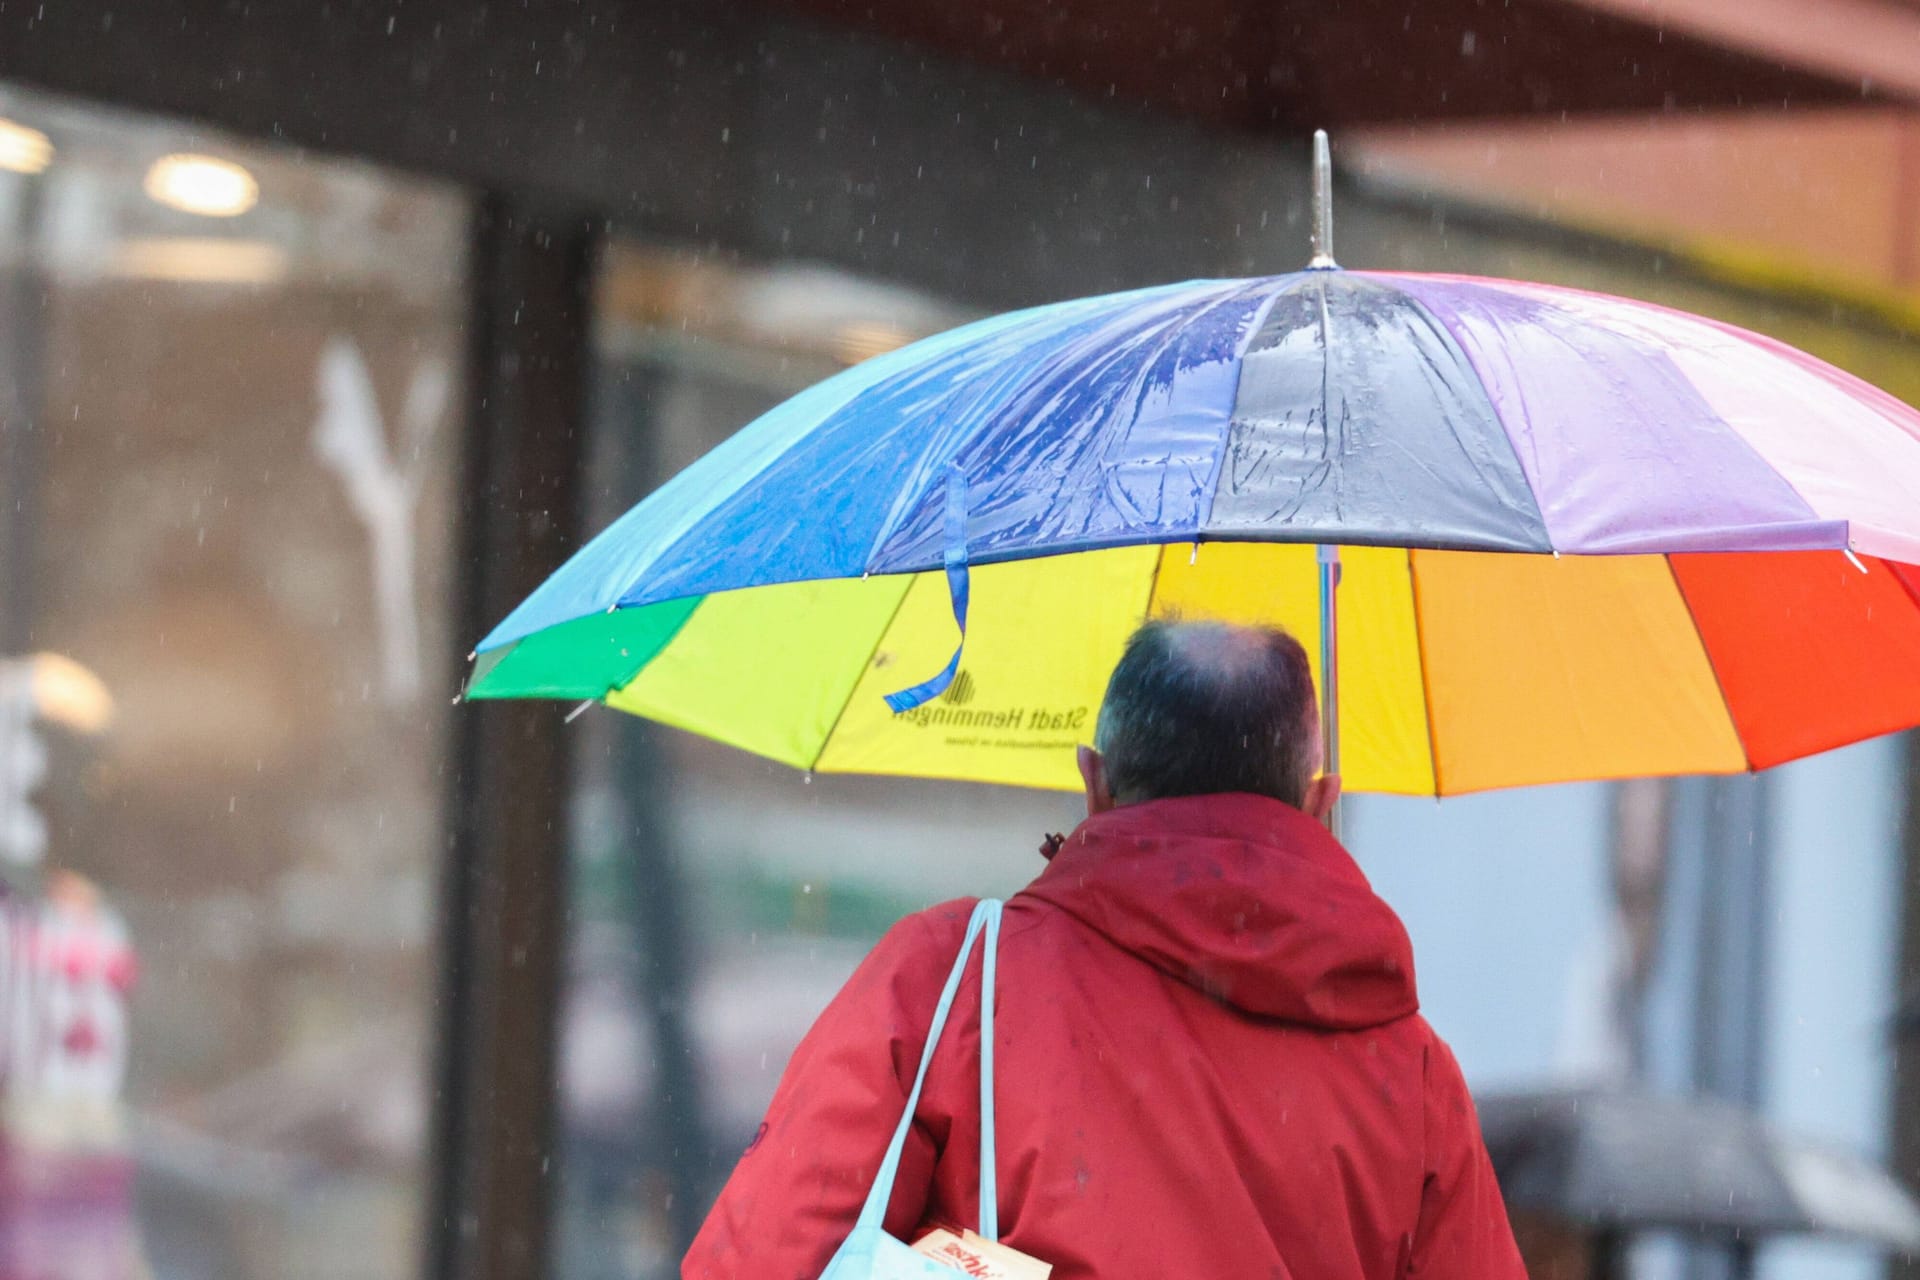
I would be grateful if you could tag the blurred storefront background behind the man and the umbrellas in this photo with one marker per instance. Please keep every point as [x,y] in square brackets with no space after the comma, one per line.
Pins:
[327,331]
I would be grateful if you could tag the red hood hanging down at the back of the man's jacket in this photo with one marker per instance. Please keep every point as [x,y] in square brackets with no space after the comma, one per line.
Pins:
[1245,899]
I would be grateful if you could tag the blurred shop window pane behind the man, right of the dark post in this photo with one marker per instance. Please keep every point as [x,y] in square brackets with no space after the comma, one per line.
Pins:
[719,899]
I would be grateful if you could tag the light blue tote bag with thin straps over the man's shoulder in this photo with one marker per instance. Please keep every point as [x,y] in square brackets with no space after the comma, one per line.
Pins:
[871,1254]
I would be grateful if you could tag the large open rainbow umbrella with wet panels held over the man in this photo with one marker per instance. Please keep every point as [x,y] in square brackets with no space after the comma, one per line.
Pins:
[1575,538]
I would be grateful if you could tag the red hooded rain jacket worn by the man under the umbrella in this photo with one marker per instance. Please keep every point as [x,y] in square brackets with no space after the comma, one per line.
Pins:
[1209,1064]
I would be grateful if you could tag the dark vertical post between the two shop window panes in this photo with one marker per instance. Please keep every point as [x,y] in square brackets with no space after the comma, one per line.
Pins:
[506,861]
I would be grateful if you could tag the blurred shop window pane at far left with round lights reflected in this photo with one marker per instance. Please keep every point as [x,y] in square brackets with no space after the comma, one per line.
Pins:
[229,383]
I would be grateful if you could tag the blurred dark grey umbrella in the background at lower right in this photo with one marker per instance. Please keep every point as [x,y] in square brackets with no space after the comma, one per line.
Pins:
[1631,1162]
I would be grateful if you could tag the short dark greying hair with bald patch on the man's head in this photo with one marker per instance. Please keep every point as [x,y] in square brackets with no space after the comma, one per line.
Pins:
[1209,707]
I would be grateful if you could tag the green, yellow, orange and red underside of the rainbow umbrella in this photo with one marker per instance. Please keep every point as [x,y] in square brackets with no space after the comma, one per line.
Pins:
[1458,671]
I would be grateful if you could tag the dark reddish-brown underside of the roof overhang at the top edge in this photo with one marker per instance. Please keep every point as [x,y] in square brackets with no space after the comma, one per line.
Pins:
[1297,64]
